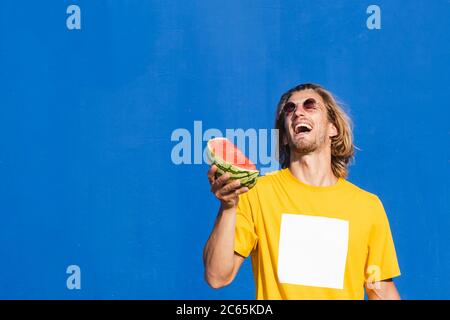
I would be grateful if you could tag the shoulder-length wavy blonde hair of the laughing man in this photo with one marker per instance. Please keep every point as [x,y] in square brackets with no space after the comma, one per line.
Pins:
[342,148]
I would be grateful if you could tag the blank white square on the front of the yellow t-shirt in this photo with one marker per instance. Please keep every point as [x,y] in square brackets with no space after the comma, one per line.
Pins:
[312,251]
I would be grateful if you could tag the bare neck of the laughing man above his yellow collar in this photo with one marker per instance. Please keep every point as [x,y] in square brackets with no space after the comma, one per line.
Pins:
[313,169]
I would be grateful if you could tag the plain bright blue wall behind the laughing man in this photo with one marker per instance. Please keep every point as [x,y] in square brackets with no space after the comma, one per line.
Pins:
[86,116]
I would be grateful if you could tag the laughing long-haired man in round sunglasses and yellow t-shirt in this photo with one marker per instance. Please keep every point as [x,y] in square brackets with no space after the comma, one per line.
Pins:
[311,234]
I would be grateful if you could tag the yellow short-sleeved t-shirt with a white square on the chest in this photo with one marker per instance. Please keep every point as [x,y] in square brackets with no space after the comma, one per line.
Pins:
[309,242]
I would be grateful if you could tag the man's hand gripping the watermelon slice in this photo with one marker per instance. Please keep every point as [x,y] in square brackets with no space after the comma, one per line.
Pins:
[226,190]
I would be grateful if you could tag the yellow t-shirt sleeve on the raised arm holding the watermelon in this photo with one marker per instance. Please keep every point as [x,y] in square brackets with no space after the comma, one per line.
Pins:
[245,237]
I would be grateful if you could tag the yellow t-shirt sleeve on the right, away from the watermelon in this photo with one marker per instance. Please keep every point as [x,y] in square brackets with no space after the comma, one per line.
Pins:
[382,261]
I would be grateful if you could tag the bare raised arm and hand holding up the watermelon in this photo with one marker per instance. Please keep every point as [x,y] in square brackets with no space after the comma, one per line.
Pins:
[220,261]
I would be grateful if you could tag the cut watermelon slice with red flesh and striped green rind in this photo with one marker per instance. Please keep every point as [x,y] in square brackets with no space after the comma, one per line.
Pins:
[228,158]
